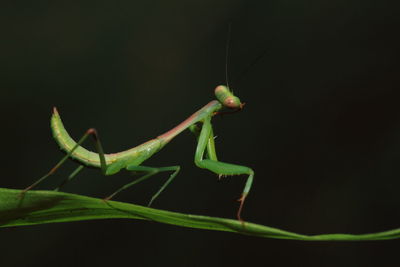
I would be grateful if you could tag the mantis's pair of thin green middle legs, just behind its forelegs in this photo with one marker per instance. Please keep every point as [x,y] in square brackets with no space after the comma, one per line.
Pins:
[150,171]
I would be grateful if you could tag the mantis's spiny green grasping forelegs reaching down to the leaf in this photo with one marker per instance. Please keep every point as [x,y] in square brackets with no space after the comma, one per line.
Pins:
[206,141]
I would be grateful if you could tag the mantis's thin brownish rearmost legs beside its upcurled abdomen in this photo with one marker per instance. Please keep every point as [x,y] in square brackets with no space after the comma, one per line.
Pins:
[90,132]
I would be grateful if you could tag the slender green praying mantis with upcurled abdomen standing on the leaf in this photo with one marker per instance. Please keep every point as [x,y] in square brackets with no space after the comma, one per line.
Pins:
[205,156]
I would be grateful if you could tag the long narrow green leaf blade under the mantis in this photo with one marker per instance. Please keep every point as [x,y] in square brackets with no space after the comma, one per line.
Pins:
[39,207]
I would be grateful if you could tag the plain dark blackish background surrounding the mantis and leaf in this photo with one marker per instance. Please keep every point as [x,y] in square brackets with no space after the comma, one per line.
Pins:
[321,127]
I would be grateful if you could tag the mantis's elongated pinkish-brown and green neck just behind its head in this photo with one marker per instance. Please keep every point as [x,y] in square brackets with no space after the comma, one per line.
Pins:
[199,115]
